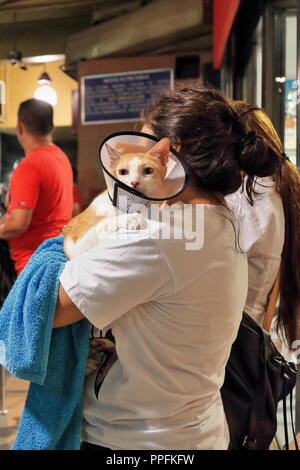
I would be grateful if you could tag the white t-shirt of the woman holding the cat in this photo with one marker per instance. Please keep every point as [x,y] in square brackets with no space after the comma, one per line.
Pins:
[174,313]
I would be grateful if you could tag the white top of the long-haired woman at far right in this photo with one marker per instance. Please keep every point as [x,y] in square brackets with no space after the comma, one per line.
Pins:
[261,230]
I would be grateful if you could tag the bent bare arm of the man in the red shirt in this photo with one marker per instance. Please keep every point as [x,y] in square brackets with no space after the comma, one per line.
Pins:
[15,223]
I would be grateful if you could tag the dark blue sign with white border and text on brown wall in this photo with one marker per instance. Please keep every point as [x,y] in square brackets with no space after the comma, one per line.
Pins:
[120,97]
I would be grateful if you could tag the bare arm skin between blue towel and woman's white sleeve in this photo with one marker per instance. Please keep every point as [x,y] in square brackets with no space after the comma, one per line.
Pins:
[66,312]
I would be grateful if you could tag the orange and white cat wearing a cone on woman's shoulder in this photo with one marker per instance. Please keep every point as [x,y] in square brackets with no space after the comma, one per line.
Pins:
[143,171]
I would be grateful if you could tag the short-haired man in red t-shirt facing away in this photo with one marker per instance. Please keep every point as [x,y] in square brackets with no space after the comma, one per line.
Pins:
[41,187]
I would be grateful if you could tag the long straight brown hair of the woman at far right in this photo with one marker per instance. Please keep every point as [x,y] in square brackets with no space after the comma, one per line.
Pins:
[288,185]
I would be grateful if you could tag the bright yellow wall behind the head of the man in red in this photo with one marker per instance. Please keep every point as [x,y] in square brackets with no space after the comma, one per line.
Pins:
[21,85]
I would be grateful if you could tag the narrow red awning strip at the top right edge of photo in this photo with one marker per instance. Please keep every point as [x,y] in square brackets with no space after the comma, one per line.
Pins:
[224,14]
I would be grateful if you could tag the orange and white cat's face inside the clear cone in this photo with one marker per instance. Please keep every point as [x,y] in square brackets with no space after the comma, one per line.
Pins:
[144,172]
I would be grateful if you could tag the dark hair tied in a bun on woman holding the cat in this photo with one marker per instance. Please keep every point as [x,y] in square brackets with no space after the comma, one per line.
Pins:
[212,138]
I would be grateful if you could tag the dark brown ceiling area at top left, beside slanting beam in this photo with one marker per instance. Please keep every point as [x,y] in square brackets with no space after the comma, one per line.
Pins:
[40,27]
